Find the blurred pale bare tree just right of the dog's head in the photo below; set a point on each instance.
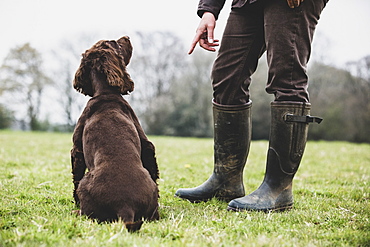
(157, 61)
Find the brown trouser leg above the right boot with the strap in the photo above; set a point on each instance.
(288, 34)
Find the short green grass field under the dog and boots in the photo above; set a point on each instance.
(331, 198)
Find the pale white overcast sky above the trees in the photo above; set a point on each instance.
(342, 34)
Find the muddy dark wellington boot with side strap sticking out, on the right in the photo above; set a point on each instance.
(288, 136)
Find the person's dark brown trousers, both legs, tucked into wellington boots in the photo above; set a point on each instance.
(285, 34)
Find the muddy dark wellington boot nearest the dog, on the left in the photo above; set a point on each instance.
(232, 136)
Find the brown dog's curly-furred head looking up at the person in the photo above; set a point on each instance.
(109, 59)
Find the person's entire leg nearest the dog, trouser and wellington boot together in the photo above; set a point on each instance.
(241, 46)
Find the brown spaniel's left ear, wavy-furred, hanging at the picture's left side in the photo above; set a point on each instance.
(81, 81)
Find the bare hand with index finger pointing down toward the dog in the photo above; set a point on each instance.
(204, 34)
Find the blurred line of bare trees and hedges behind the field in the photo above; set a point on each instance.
(173, 91)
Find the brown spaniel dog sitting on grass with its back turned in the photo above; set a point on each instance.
(109, 141)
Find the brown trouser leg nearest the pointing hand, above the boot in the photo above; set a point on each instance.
(242, 45)
